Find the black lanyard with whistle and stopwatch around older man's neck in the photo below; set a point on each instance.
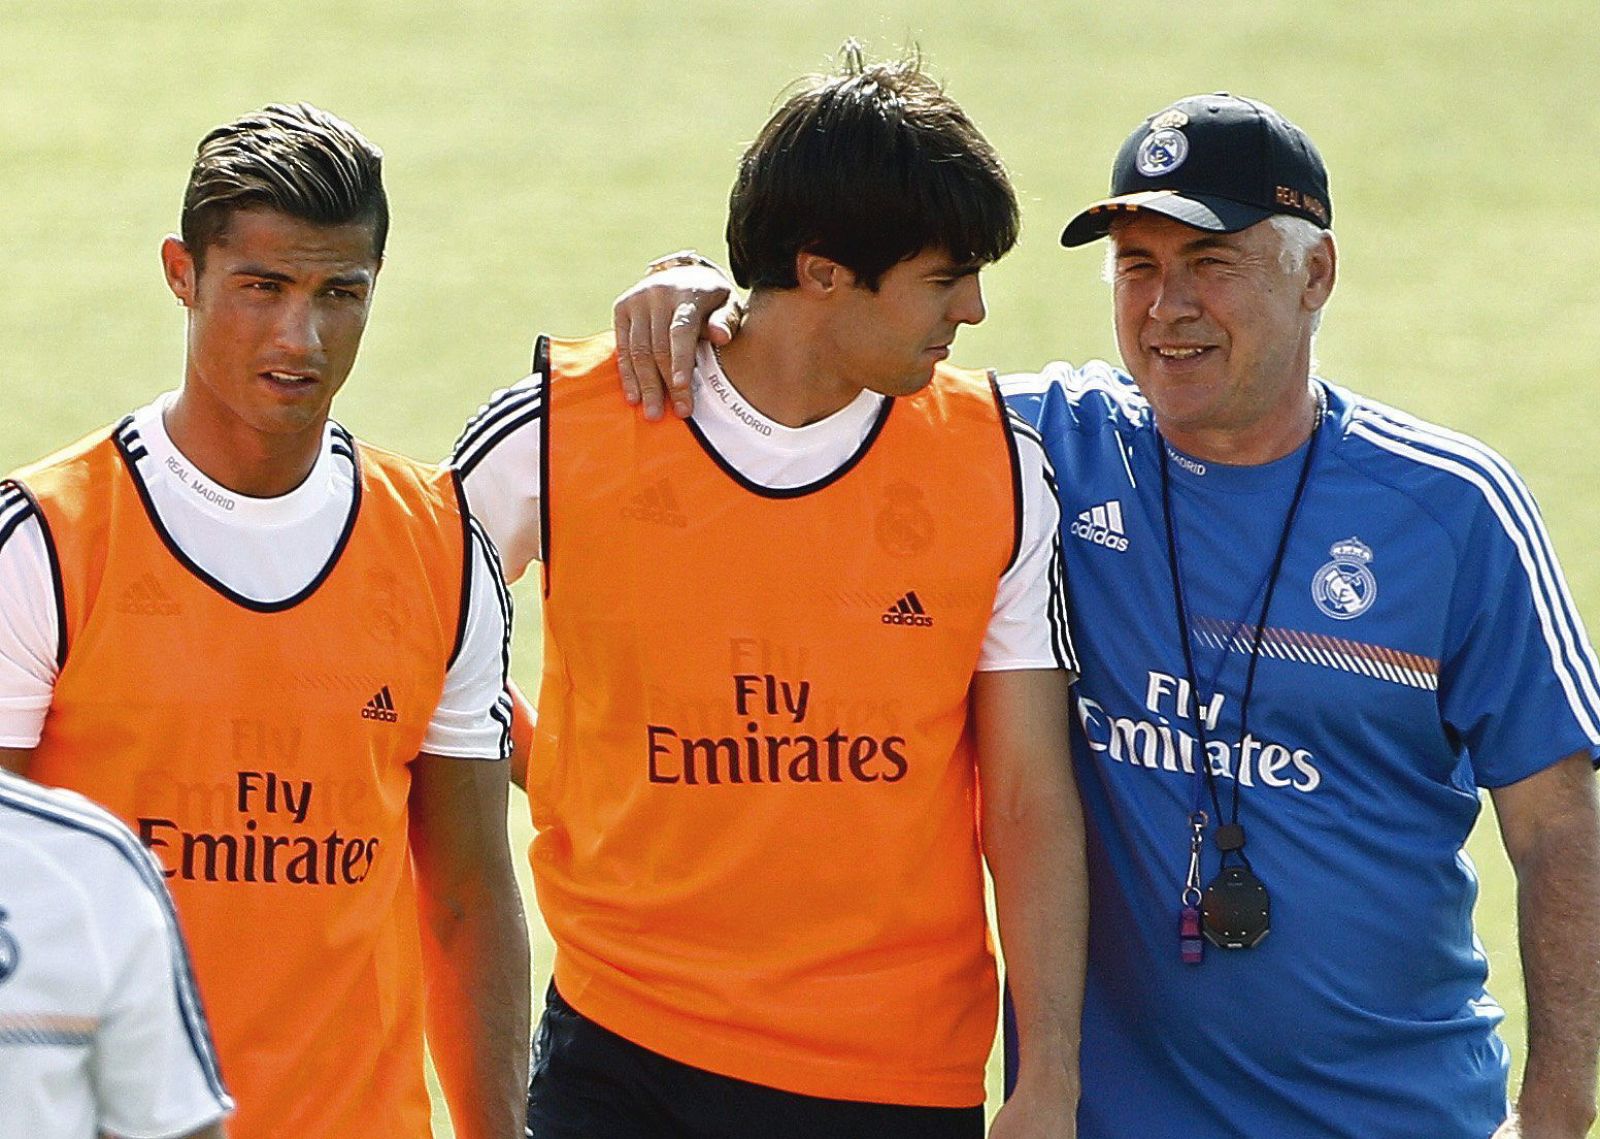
(1234, 887)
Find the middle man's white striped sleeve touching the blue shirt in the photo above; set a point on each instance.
(1030, 623)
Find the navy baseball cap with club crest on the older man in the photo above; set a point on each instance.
(1215, 162)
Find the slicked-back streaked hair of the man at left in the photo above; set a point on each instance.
(295, 159)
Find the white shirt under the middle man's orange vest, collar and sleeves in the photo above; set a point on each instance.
(498, 458)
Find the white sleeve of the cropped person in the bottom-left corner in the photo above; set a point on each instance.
(153, 1065)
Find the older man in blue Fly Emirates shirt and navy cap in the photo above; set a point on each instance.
(1313, 629)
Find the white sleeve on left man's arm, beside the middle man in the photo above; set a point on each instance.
(473, 721)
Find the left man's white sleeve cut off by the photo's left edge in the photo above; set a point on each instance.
(28, 623)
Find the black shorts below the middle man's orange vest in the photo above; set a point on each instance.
(591, 1084)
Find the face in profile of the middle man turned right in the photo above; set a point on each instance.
(889, 342)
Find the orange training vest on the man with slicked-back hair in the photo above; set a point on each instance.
(262, 753)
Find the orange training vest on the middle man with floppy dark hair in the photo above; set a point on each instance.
(758, 844)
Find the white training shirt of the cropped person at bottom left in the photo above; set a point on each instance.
(102, 1026)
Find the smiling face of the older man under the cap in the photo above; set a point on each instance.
(1214, 329)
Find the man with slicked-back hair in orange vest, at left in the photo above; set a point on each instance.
(279, 657)
